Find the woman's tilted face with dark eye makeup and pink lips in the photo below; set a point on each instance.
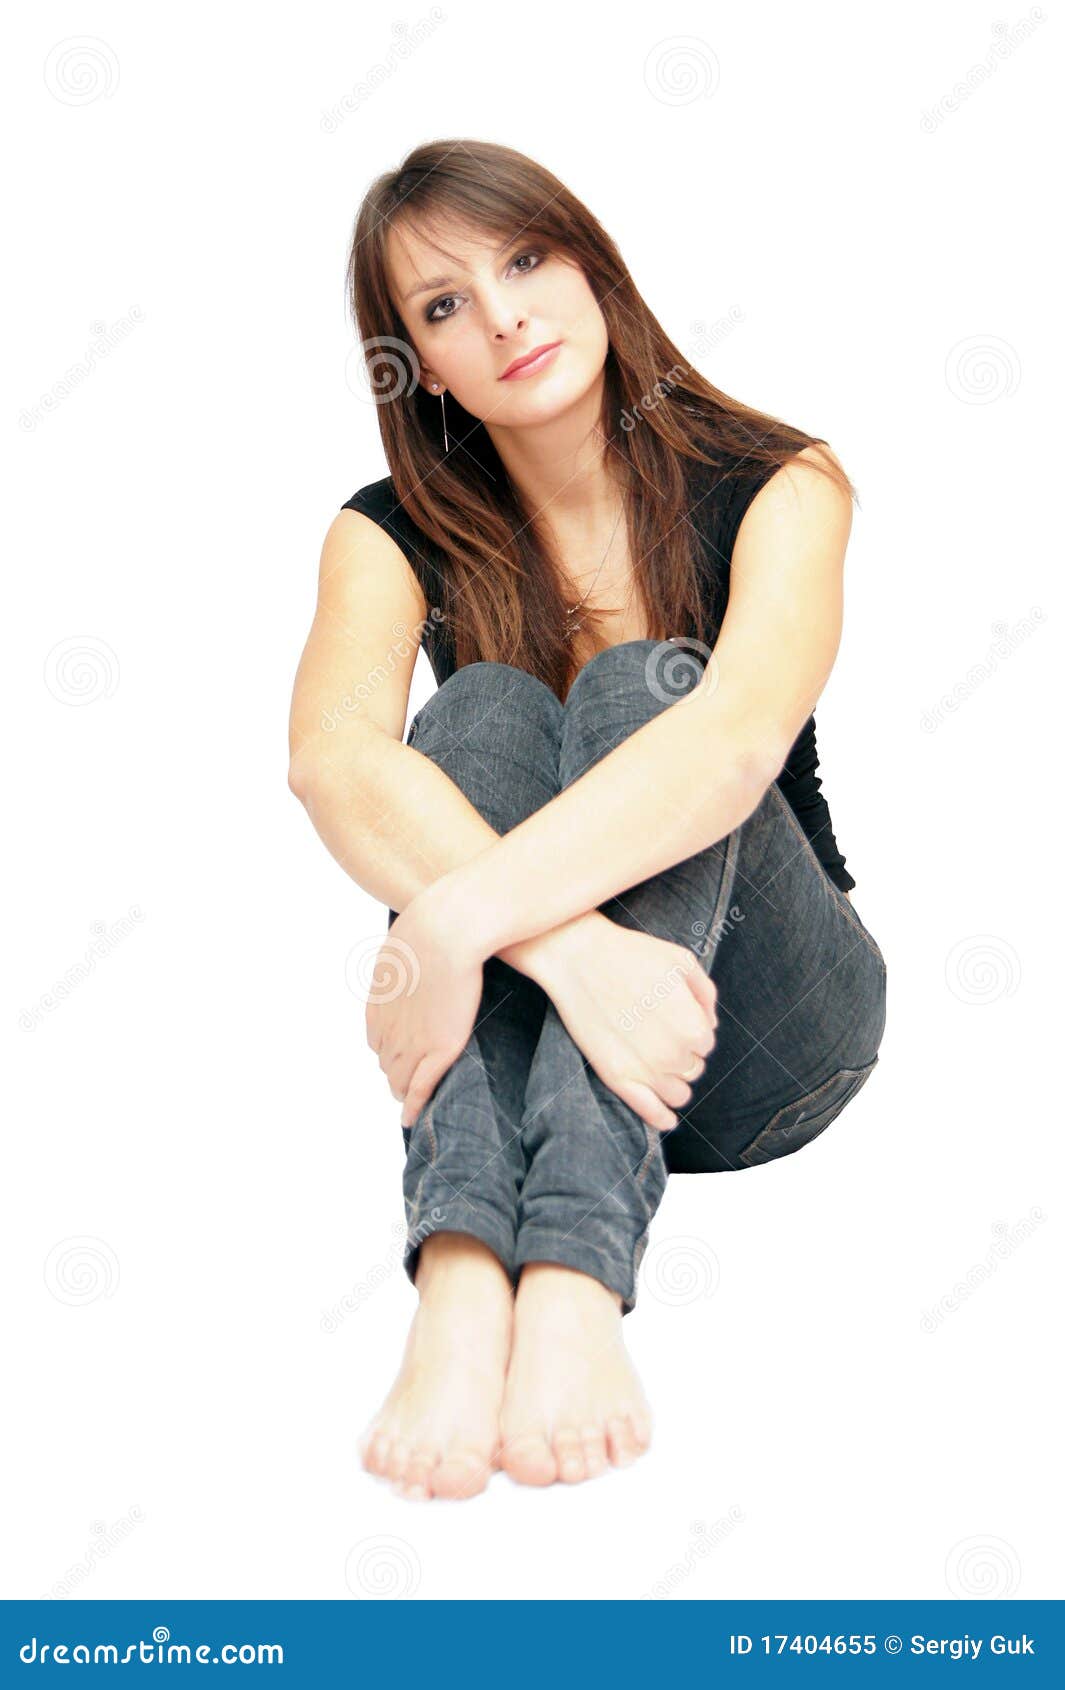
(489, 307)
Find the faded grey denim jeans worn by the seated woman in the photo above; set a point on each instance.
(522, 1143)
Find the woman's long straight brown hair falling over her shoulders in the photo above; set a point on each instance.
(501, 587)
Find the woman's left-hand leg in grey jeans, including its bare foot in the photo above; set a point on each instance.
(494, 731)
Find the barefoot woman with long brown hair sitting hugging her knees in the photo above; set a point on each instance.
(621, 942)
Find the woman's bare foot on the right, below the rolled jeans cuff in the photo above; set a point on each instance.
(572, 1402)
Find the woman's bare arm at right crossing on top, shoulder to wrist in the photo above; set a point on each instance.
(702, 766)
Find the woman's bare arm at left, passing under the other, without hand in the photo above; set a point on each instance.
(359, 783)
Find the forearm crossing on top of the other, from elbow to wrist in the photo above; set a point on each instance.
(670, 790)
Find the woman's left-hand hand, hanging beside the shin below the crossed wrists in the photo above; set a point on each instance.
(420, 1027)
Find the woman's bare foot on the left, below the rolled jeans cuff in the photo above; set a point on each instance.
(437, 1434)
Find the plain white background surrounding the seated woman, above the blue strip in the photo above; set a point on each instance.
(849, 1353)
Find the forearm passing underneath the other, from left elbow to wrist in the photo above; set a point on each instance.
(396, 824)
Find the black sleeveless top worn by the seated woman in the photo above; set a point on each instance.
(718, 511)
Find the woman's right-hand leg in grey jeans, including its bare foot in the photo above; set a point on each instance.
(804, 1015)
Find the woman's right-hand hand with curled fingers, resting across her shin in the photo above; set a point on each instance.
(642, 1010)
